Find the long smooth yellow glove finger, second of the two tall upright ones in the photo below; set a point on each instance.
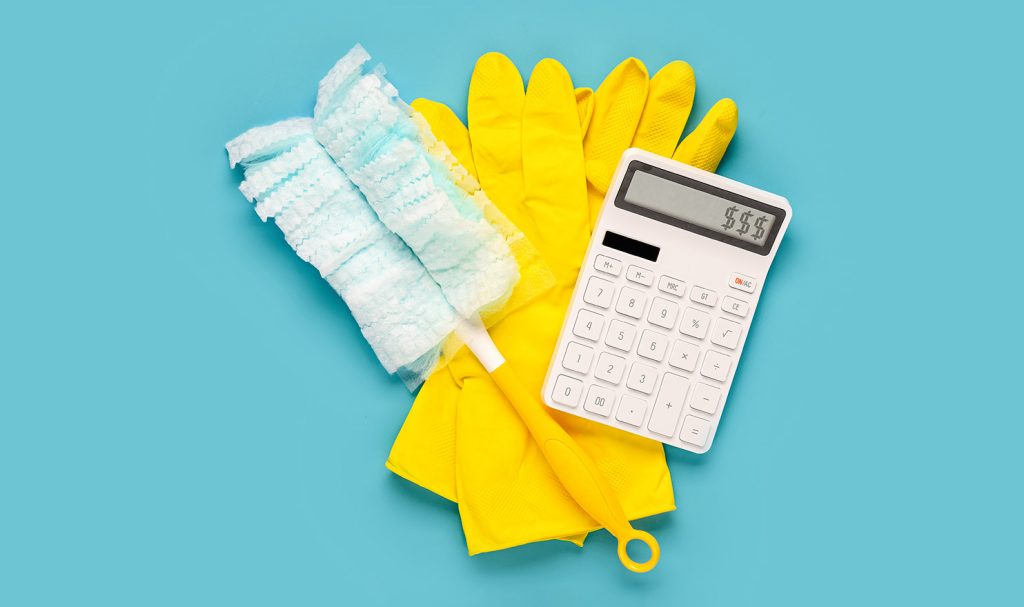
(554, 171)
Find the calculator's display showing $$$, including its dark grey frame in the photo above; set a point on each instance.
(699, 207)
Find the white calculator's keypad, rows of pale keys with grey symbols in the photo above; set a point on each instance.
(651, 352)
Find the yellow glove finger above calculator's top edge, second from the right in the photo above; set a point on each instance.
(669, 103)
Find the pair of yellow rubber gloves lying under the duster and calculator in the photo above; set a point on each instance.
(462, 440)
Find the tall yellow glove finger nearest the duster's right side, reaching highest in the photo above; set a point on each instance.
(495, 112)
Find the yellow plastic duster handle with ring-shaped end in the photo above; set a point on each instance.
(576, 470)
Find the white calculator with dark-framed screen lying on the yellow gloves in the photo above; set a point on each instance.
(664, 300)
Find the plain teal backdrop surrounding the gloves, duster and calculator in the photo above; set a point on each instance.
(190, 417)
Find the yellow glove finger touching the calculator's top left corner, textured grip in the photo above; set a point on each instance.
(618, 106)
